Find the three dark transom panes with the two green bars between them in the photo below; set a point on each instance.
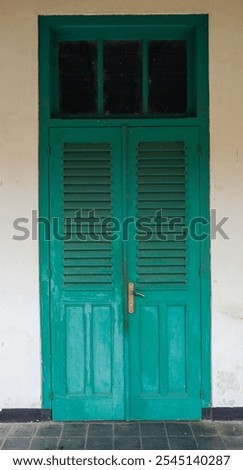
(123, 78)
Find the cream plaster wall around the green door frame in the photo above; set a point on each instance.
(20, 360)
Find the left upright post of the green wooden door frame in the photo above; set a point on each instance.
(44, 248)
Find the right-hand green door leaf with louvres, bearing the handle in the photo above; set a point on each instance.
(164, 331)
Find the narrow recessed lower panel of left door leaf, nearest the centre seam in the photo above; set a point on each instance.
(102, 347)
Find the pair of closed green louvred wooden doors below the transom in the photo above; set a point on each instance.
(107, 363)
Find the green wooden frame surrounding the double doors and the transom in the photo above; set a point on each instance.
(48, 24)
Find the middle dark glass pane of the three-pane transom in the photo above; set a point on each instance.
(122, 77)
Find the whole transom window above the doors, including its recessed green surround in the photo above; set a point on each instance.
(125, 68)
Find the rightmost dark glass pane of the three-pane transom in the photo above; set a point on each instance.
(167, 73)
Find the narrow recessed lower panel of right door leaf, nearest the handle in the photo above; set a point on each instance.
(149, 350)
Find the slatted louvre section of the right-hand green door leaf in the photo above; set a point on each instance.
(161, 206)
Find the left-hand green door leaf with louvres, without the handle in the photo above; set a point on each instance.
(87, 309)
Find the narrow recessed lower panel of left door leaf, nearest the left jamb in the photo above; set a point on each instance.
(75, 350)
